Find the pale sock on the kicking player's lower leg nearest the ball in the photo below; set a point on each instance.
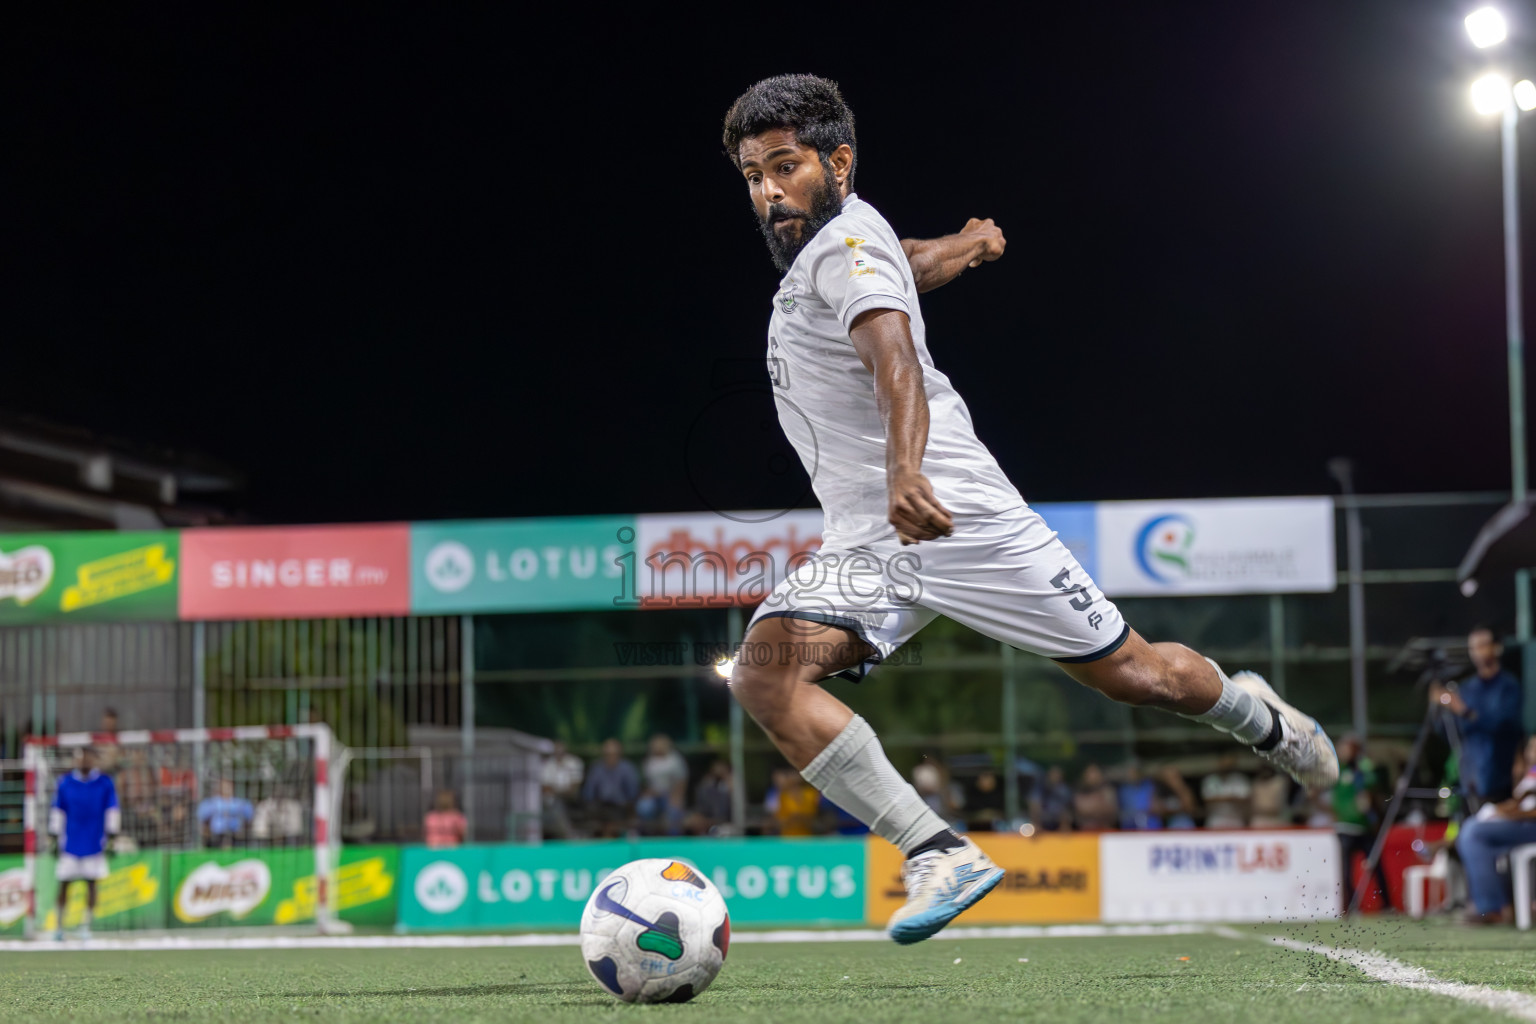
(856, 775)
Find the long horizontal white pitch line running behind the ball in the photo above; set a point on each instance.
(182, 943)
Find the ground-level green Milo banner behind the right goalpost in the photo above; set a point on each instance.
(227, 888)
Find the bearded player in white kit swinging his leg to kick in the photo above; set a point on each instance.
(896, 463)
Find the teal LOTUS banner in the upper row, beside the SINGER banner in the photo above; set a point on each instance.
(523, 566)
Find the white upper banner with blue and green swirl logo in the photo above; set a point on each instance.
(1242, 546)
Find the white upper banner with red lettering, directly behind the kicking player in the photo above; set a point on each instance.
(718, 560)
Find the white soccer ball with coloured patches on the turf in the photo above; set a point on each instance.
(655, 931)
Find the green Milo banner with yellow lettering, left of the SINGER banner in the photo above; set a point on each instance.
(88, 576)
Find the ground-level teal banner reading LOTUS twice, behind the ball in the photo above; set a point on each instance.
(764, 880)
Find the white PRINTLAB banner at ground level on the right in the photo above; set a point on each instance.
(1283, 876)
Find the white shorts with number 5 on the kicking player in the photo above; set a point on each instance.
(1005, 575)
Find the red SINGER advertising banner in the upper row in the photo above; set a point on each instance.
(296, 572)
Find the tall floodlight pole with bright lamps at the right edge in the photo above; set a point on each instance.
(1494, 94)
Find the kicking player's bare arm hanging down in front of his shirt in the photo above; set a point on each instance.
(884, 342)
